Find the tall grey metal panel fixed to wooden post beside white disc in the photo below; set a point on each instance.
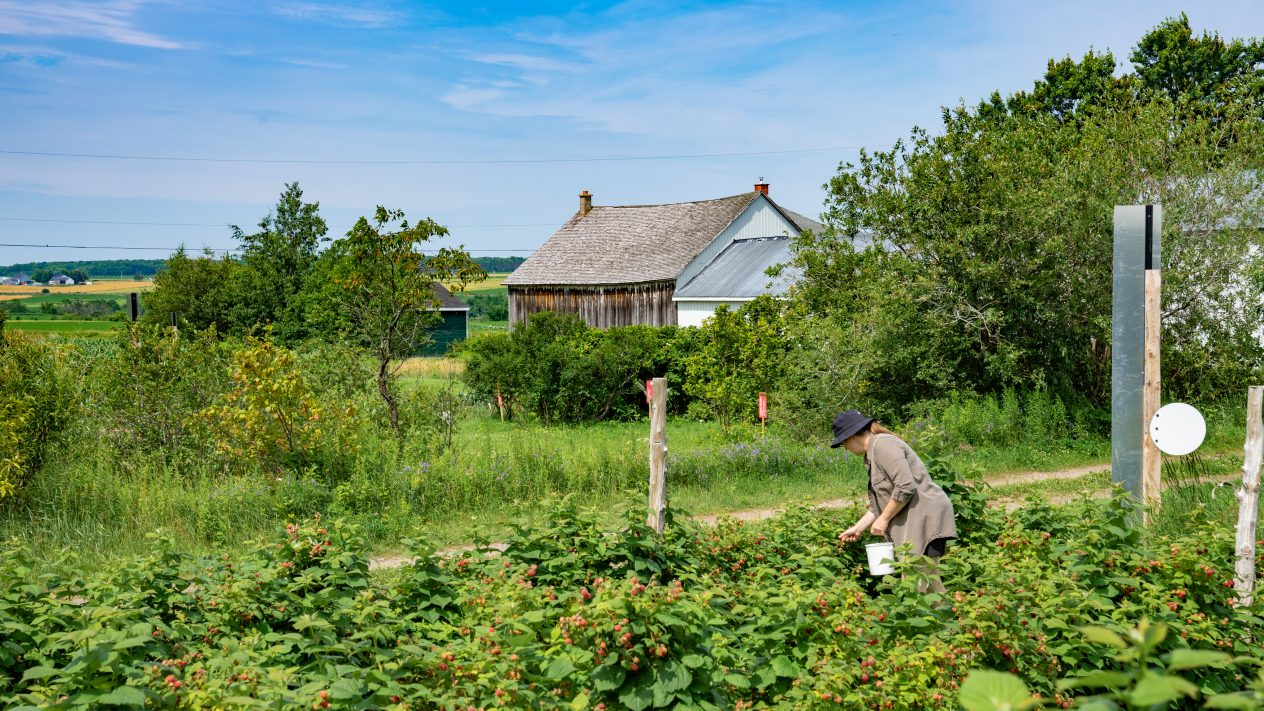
(1134, 233)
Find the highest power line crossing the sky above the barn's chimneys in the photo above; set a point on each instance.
(462, 163)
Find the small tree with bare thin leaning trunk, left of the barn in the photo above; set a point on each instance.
(387, 289)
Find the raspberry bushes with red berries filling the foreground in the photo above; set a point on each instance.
(578, 614)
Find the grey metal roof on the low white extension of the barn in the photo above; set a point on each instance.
(740, 273)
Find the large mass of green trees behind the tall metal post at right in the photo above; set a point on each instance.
(978, 259)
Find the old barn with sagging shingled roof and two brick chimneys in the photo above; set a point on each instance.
(620, 266)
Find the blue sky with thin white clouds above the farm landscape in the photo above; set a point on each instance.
(156, 125)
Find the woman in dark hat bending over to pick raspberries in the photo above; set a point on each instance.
(904, 504)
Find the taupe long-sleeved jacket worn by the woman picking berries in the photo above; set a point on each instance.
(897, 473)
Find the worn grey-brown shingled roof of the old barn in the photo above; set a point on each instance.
(629, 245)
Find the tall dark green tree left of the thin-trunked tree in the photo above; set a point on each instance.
(277, 263)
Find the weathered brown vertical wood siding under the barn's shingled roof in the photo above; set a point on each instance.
(602, 307)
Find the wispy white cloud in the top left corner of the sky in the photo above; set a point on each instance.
(111, 21)
